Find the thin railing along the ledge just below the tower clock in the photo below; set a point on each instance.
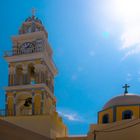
(22, 51)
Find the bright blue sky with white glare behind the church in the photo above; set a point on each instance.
(96, 47)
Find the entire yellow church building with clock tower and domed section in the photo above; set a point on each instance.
(30, 104)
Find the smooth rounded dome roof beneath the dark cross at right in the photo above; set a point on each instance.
(127, 99)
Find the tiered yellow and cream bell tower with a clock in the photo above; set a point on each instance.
(30, 88)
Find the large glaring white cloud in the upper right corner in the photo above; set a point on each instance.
(128, 12)
